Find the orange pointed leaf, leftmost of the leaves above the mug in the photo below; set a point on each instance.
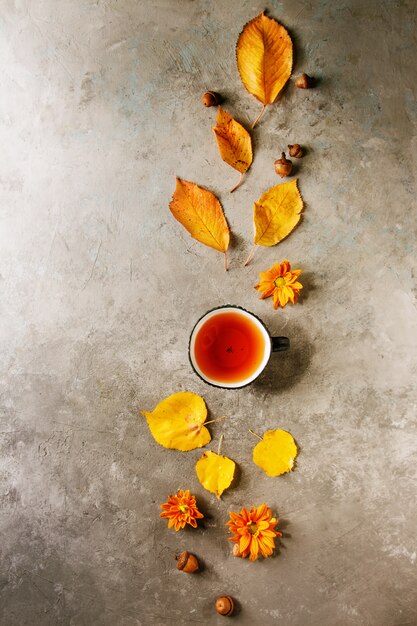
(201, 213)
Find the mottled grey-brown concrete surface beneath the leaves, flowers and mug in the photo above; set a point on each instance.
(100, 109)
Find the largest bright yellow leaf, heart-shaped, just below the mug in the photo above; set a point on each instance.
(177, 422)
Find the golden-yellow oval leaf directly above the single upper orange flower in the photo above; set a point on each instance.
(277, 213)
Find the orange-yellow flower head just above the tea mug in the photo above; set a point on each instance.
(280, 283)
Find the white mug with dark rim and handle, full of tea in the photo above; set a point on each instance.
(224, 334)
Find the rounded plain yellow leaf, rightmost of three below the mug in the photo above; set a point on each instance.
(276, 452)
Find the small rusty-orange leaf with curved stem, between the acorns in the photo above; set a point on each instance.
(234, 141)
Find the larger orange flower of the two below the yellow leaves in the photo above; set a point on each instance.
(254, 531)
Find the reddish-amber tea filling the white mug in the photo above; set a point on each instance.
(229, 347)
